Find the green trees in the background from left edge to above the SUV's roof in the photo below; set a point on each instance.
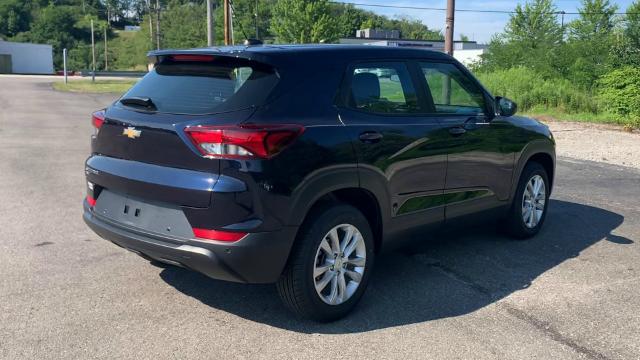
(66, 24)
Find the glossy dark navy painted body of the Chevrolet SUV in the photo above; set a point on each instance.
(417, 171)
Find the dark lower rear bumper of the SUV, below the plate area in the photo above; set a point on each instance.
(257, 258)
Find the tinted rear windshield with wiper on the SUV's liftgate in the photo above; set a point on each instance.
(204, 87)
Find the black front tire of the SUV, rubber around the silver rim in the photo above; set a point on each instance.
(515, 224)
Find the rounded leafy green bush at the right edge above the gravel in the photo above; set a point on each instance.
(619, 92)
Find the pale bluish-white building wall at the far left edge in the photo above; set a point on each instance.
(29, 58)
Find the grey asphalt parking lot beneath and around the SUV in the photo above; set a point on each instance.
(571, 292)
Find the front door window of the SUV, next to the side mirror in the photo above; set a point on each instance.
(451, 90)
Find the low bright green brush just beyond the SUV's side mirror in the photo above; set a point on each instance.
(530, 90)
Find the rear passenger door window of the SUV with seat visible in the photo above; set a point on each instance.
(383, 88)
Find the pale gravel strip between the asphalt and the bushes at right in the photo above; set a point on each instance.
(596, 142)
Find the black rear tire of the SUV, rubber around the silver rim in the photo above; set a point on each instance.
(296, 285)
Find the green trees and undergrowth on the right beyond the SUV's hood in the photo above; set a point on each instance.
(587, 65)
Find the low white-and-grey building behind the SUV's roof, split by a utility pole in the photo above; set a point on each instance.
(467, 52)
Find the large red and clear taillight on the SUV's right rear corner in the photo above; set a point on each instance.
(243, 141)
